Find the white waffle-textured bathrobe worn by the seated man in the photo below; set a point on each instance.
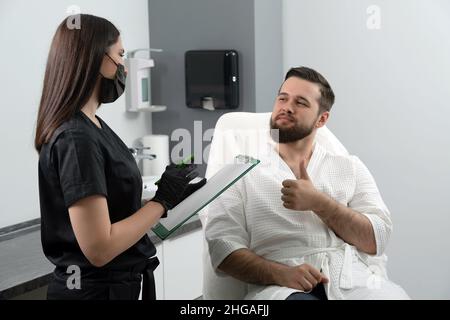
(250, 215)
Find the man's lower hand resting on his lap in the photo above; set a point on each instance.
(303, 277)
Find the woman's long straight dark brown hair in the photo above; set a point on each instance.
(72, 71)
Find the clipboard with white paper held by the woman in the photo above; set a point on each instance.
(214, 187)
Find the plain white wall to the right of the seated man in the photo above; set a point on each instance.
(392, 89)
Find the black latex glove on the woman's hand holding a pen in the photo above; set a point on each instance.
(174, 186)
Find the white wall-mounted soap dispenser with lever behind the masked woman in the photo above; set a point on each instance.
(138, 86)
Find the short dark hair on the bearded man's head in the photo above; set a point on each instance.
(326, 93)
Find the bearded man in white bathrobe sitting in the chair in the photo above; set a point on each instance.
(304, 224)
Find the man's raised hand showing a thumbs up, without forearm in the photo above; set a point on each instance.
(301, 194)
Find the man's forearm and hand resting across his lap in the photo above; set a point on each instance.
(248, 267)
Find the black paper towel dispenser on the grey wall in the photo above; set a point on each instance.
(212, 79)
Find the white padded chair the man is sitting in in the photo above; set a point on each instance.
(232, 134)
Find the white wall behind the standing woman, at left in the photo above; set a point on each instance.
(26, 30)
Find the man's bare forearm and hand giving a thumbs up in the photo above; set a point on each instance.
(351, 226)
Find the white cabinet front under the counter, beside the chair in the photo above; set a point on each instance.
(182, 266)
